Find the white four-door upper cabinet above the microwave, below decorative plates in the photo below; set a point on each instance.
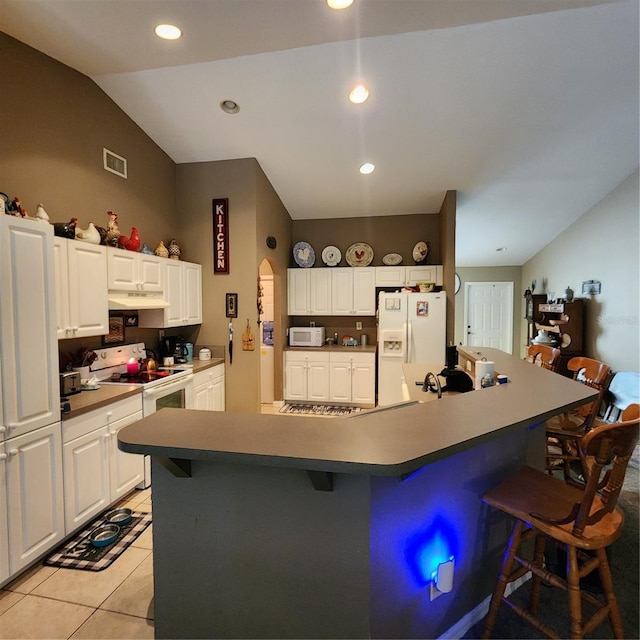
(331, 292)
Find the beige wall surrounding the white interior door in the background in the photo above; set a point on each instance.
(491, 274)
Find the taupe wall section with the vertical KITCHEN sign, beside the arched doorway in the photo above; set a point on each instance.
(243, 183)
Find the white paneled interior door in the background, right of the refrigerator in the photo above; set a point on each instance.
(489, 315)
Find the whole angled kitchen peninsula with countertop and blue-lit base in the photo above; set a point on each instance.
(288, 527)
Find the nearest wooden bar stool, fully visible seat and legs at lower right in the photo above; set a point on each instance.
(582, 521)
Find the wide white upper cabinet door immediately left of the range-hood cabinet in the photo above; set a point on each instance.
(88, 305)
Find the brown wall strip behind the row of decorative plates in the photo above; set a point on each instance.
(385, 234)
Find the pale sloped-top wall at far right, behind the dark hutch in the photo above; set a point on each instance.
(602, 245)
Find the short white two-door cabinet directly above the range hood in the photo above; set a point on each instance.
(133, 271)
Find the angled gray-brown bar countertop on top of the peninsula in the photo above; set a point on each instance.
(385, 441)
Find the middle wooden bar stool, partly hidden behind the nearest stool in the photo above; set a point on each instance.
(564, 432)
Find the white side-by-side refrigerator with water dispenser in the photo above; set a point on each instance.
(411, 328)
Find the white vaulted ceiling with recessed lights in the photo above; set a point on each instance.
(528, 108)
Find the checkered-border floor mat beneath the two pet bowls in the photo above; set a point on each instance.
(79, 553)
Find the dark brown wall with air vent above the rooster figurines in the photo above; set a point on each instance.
(54, 123)
